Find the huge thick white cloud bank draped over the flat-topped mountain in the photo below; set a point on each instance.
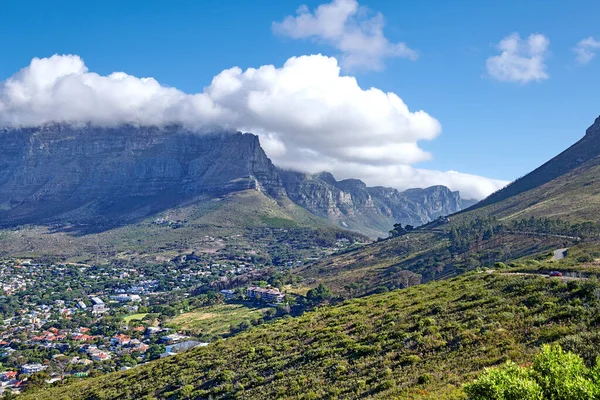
(309, 117)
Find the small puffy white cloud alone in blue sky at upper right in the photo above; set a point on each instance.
(520, 60)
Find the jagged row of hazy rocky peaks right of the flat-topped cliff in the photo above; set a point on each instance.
(371, 210)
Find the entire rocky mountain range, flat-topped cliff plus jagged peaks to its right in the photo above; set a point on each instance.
(107, 177)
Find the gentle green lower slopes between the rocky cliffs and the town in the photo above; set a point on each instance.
(204, 225)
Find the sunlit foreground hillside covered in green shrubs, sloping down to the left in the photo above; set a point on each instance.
(418, 343)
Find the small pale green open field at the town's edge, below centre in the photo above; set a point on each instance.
(215, 320)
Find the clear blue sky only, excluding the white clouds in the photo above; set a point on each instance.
(492, 128)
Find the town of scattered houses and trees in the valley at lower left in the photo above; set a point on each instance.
(72, 321)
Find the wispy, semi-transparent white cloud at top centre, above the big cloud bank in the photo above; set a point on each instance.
(349, 28)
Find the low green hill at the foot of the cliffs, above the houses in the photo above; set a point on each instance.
(240, 222)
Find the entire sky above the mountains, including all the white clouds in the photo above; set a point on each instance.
(468, 94)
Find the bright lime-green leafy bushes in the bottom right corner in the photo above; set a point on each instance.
(555, 374)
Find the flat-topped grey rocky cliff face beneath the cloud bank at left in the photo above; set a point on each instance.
(89, 174)
